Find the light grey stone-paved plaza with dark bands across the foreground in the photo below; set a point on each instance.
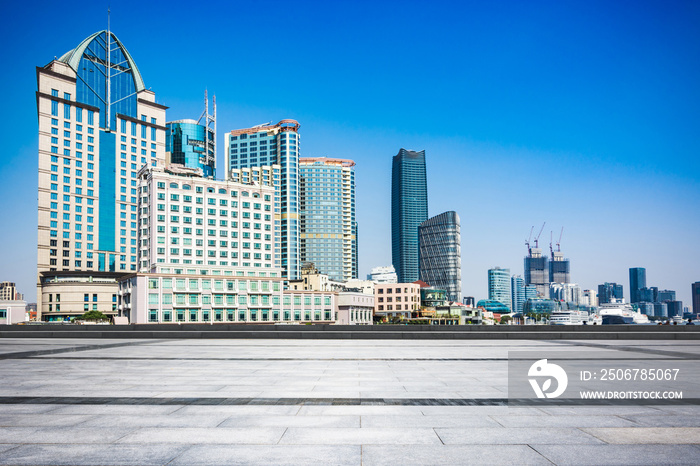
(349, 402)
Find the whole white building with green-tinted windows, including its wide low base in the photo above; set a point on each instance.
(206, 254)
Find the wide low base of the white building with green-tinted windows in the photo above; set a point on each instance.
(222, 296)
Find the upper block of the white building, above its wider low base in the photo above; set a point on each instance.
(193, 222)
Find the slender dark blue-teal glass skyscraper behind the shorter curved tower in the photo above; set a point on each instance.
(409, 208)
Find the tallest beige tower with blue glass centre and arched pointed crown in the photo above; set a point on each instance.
(98, 125)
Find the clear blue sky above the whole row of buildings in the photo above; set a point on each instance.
(581, 114)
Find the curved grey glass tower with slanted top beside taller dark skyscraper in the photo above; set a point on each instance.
(440, 253)
